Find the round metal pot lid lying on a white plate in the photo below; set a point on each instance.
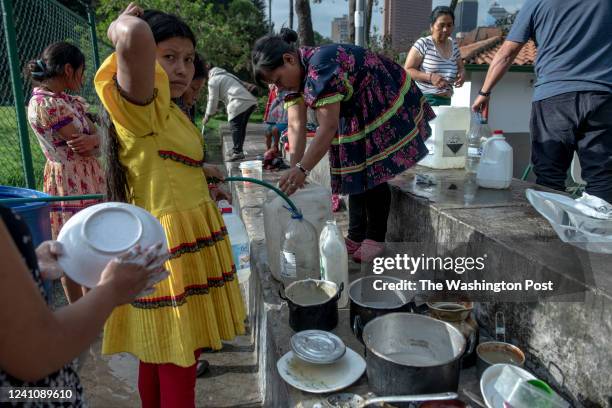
(317, 346)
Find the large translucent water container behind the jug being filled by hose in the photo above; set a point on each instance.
(313, 200)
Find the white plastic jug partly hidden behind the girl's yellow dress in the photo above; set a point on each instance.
(239, 239)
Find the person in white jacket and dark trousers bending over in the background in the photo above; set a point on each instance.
(239, 103)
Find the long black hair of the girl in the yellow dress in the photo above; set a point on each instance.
(163, 26)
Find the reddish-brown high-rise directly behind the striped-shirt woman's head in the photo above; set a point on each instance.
(404, 21)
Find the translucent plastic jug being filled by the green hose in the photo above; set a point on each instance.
(299, 254)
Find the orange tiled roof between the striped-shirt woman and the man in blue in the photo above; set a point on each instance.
(482, 52)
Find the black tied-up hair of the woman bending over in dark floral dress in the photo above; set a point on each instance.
(268, 52)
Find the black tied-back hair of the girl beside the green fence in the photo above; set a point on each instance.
(51, 62)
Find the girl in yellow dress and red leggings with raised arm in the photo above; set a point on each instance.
(155, 161)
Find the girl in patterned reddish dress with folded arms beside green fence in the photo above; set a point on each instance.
(67, 137)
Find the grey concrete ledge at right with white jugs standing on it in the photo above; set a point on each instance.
(567, 343)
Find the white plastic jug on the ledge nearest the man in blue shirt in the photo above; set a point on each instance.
(495, 169)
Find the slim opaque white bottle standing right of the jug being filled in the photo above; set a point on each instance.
(334, 259)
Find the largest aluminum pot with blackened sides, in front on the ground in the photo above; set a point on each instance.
(408, 353)
